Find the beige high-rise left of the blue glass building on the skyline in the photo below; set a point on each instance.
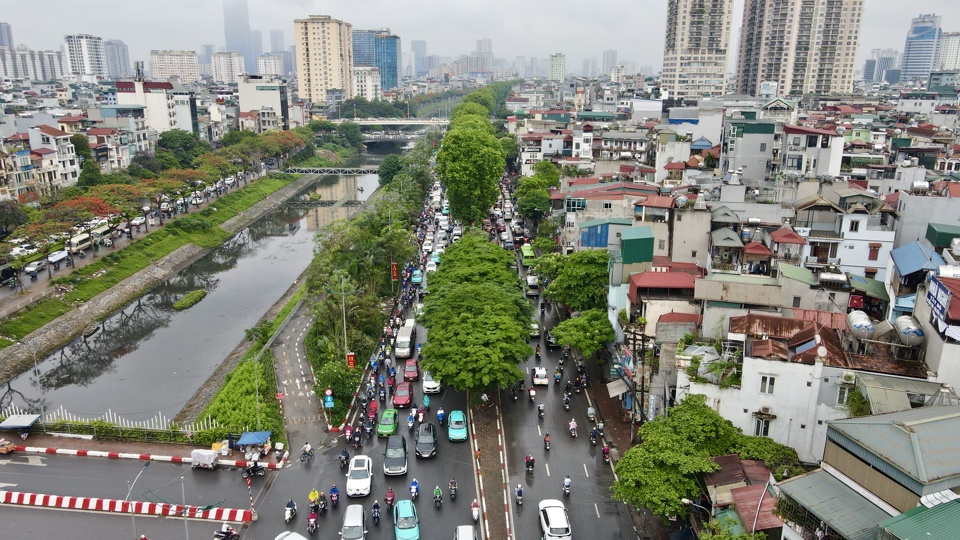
(324, 57)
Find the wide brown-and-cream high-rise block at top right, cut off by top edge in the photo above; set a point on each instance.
(805, 49)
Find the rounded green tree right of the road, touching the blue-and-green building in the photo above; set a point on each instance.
(582, 283)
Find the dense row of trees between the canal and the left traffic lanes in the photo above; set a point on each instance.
(351, 272)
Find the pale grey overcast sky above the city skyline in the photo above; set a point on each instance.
(634, 28)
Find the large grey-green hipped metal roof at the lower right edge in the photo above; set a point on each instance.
(921, 443)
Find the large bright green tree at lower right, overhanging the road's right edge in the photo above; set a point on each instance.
(676, 449)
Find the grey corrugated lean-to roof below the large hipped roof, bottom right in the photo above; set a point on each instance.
(840, 507)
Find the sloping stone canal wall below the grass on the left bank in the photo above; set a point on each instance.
(20, 356)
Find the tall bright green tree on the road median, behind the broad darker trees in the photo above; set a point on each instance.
(470, 164)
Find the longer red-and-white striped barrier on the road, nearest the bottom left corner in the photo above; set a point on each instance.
(123, 507)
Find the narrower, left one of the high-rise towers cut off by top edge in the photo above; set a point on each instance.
(695, 48)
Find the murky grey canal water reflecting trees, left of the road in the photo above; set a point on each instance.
(148, 360)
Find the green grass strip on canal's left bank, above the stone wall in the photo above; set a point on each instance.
(200, 228)
